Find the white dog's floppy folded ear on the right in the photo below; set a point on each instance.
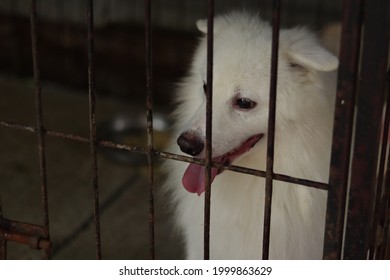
(304, 49)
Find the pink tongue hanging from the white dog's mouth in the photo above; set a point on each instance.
(194, 178)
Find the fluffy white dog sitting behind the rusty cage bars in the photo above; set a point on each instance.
(304, 117)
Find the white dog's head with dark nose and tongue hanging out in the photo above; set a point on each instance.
(241, 85)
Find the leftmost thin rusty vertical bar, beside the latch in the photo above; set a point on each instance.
(40, 129)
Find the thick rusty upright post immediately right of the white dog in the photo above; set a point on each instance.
(343, 127)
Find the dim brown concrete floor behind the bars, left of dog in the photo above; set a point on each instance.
(123, 187)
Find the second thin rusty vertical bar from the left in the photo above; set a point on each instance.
(92, 127)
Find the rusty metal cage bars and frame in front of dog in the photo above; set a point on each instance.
(358, 208)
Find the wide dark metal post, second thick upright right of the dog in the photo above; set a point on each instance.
(368, 128)
